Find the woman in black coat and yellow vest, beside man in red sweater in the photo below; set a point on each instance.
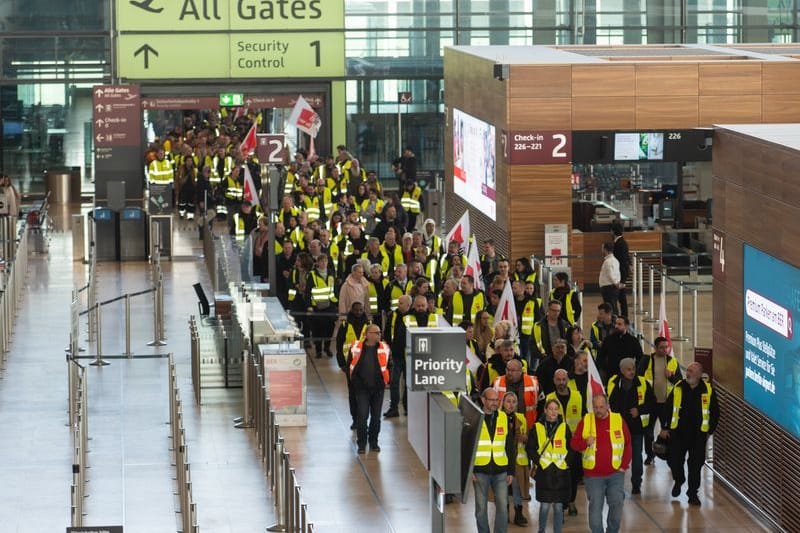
(549, 453)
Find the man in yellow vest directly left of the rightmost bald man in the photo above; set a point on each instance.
(662, 371)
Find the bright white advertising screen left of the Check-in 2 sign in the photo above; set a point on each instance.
(474, 162)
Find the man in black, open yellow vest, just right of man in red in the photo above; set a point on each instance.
(632, 397)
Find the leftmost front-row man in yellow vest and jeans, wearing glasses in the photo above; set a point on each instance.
(494, 464)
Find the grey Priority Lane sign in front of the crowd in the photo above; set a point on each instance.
(436, 360)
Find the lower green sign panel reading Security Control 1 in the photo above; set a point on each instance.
(222, 55)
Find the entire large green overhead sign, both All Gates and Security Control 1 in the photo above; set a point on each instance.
(230, 38)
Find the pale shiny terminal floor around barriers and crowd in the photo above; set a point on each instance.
(130, 480)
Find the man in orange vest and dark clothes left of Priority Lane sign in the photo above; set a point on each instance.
(369, 376)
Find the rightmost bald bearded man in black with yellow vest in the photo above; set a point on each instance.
(691, 414)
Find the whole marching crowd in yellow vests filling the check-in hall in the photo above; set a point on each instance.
(358, 266)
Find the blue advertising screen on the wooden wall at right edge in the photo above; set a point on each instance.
(771, 350)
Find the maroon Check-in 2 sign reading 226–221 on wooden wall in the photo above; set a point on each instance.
(538, 147)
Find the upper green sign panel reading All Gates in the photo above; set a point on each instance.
(228, 15)
